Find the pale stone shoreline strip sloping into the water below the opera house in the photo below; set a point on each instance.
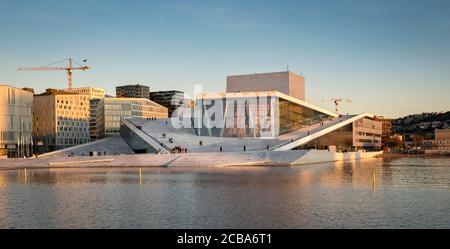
(230, 159)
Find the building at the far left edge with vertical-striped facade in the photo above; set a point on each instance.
(15, 122)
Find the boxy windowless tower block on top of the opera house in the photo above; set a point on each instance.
(287, 82)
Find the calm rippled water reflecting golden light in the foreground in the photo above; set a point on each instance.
(408, 193)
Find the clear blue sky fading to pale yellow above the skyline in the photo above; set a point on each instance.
(390, 57)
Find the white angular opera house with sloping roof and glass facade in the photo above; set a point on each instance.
(258, 113)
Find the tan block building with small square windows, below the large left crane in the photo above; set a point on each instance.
(60, 120)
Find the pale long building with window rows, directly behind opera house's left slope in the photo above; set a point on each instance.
(111, 110)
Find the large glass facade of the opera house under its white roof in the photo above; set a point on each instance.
(253, 116)
